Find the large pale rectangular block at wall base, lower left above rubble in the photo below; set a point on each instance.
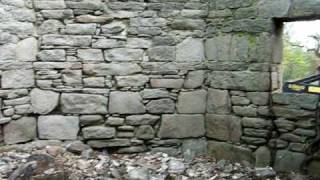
(58, 127)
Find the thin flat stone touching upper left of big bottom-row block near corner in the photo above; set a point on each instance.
(146, 119)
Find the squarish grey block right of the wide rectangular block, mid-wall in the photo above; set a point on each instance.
(126, 103)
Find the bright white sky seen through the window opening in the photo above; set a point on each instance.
(300, 31)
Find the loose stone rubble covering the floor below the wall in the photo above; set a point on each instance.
(53, 161)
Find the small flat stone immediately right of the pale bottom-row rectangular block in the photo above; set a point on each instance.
(98, 132)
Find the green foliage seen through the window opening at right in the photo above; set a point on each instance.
(297, 63)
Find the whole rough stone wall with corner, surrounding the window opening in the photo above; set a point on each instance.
(155, 75)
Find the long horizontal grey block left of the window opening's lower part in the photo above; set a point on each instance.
(241, 80)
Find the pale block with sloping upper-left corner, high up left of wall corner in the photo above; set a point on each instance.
(190, 50)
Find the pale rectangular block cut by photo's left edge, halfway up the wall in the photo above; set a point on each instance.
(17, 79)
